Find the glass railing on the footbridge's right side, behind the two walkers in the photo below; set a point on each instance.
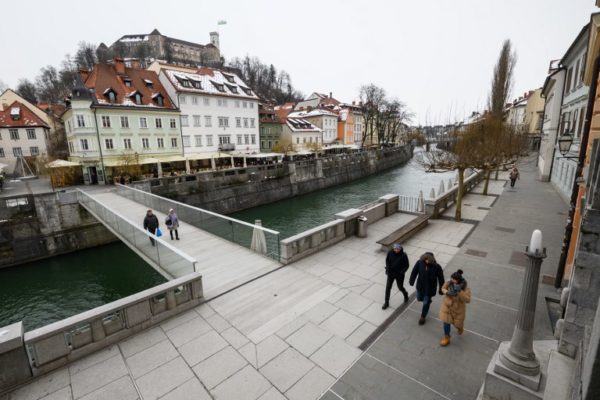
(236, 231)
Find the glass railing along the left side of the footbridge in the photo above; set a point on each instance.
(167, 258)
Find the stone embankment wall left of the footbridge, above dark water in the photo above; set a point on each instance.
(45, 225)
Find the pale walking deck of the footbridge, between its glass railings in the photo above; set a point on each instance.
(219, 260)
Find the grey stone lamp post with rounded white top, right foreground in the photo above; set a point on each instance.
(518, 360)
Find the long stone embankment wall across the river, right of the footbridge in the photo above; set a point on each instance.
(242, 188)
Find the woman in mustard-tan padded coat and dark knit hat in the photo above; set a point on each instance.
(454, 305)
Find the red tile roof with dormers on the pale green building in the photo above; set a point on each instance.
(104, 77)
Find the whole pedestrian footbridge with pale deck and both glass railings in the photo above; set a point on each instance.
(227, 252)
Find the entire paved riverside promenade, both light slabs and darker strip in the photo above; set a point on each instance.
(301, 330)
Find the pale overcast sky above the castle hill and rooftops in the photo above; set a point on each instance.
(435, 55)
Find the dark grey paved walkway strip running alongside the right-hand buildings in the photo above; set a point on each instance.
(406, 361)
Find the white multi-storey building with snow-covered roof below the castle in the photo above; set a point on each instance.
(219, 112)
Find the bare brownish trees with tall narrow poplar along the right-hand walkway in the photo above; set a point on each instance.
(487, 144)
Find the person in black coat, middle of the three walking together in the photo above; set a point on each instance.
(428, 275)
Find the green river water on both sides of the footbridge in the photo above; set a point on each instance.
(46, 291)
